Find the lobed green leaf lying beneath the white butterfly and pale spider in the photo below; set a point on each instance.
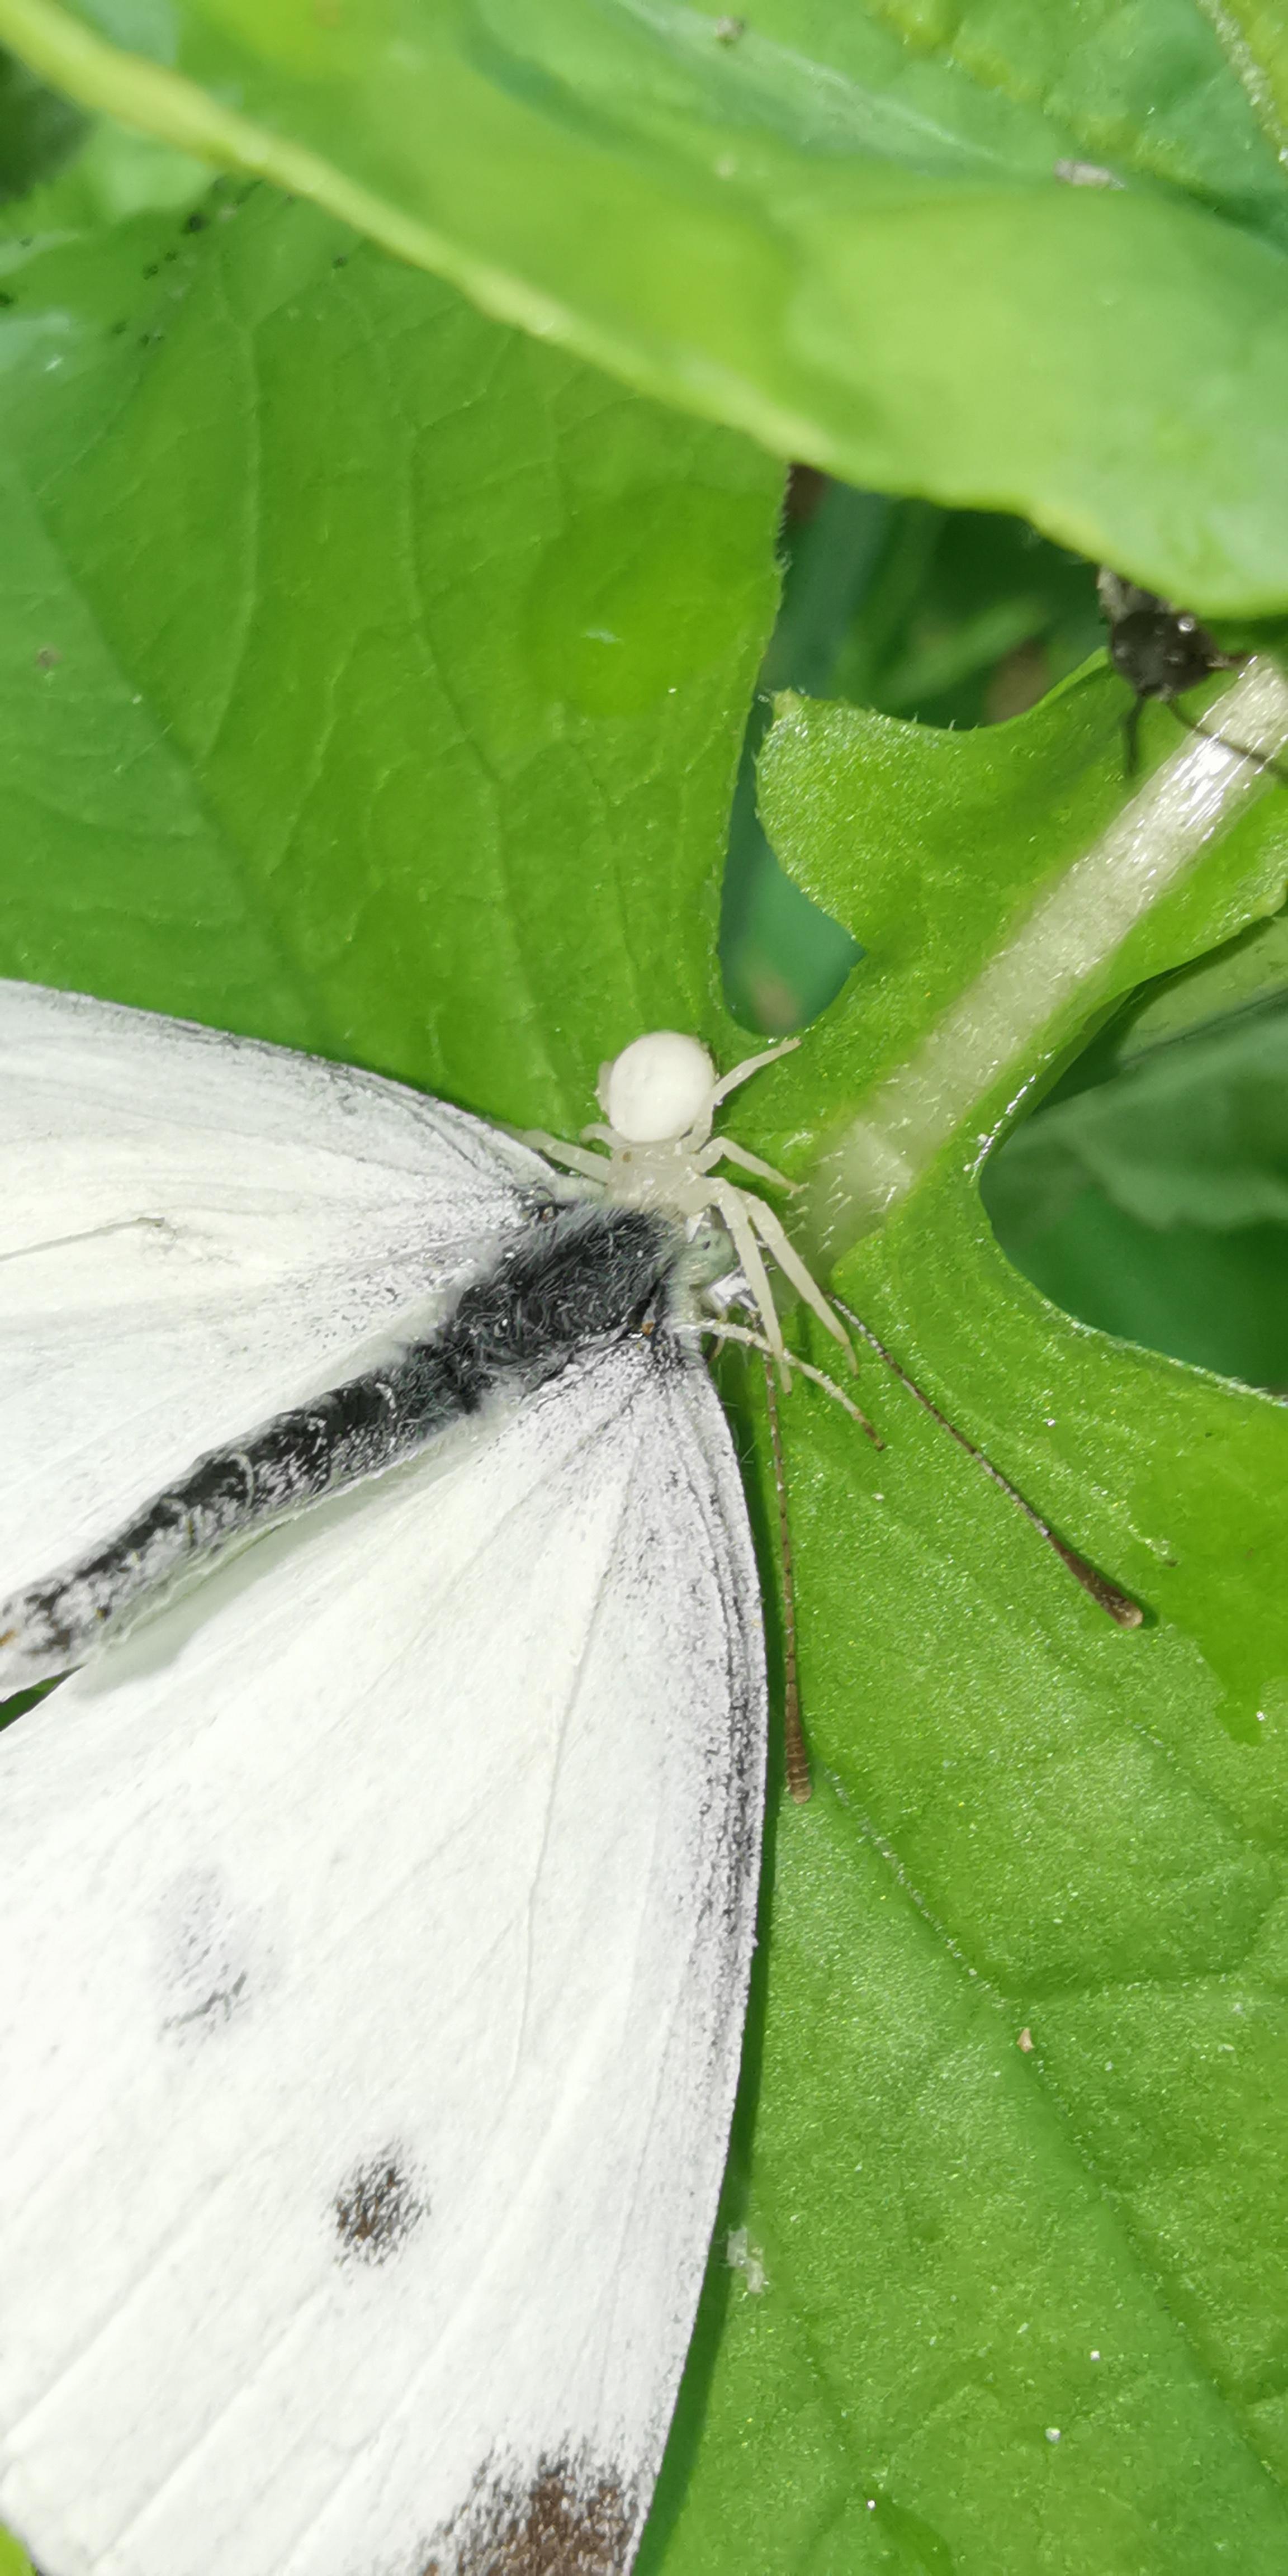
(377, 681)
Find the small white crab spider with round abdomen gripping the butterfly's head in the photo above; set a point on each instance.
(661, 1099)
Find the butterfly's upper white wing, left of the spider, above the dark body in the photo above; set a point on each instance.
(192, 1233)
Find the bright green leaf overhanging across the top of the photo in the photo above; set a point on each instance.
(875, 238)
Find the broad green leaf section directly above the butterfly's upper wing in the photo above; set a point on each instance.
(372, 676)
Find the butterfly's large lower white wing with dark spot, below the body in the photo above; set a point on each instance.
(383, 1920)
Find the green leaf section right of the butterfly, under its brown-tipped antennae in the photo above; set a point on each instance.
(1016, 2173)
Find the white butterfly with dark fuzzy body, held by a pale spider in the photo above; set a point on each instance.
(375, 1918)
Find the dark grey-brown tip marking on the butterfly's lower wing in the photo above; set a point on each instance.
(571, 2521)
